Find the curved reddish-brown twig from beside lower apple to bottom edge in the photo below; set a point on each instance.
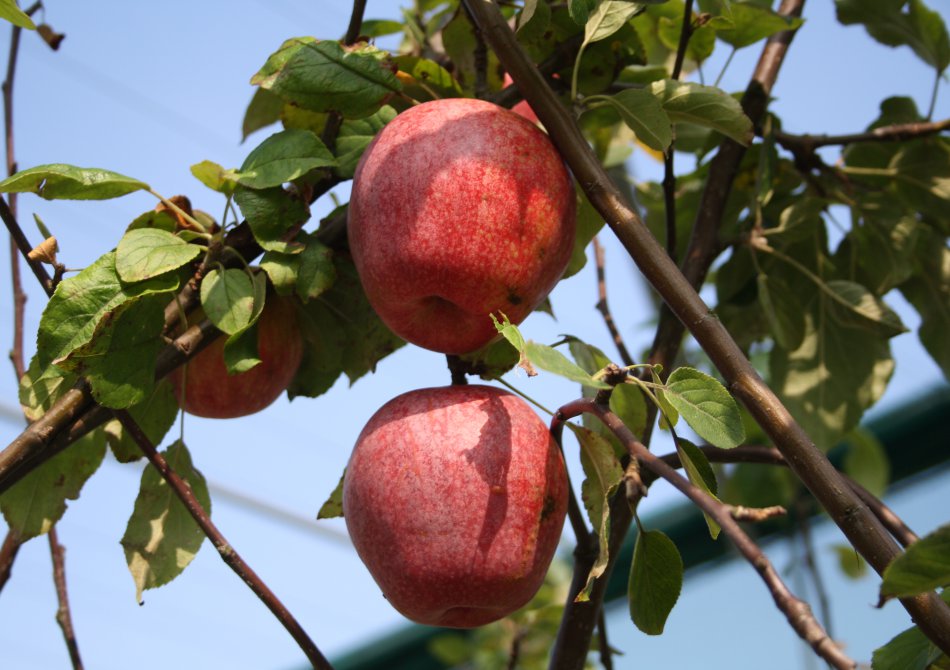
(795, 610)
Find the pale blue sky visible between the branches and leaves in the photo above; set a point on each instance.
(148, 89)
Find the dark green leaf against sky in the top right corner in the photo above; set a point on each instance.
(920, 28)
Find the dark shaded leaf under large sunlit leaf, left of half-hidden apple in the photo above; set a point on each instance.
(119, 359)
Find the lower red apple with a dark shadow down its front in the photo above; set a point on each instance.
(455, 498)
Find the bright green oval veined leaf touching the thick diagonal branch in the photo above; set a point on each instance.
(706, 406)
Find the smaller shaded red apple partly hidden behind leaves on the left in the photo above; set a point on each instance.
(209, 390)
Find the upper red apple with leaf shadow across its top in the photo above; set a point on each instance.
(459, 209)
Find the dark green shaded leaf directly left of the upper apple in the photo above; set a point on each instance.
(272, 214)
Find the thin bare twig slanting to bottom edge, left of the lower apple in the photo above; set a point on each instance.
(228, 554)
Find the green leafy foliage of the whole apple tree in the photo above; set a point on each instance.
(809, 305)
